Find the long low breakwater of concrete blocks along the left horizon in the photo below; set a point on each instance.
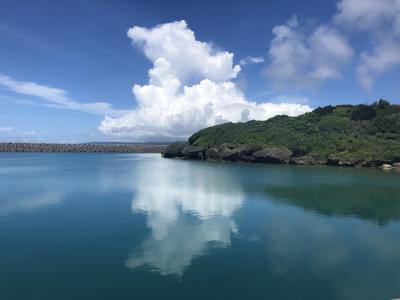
(111, 148)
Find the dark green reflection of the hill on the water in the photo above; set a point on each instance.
(369, 201)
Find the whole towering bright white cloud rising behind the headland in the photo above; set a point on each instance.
(189, 88)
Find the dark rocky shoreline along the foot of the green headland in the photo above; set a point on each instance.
(267, 155)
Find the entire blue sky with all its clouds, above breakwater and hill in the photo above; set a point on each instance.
(94, 70)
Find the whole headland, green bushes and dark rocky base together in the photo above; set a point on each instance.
(343, 135)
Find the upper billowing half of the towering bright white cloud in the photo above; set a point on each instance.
(190, 58)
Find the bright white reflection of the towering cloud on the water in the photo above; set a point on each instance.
(189, 211)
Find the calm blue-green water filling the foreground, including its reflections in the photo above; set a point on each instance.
(136, 226)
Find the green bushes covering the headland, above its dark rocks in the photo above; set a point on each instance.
(368, 132)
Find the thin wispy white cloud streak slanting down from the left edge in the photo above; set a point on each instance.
(57, 98)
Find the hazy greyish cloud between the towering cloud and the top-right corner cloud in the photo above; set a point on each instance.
(302, 60)
